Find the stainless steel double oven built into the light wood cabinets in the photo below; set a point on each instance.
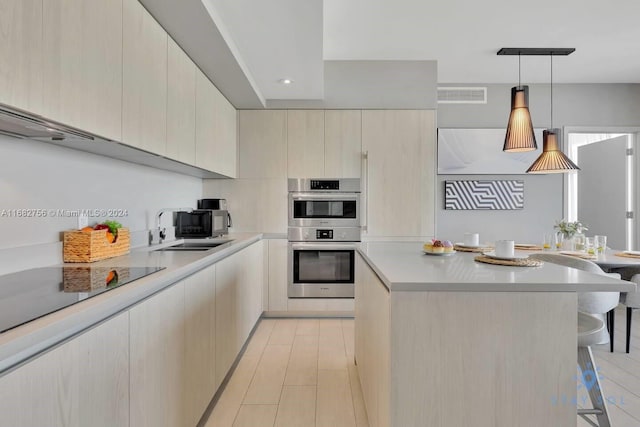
(324, 227)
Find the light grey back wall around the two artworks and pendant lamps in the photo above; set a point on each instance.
(573, 105)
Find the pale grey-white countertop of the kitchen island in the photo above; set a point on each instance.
(403, 266)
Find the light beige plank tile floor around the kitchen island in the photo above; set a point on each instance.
(300, 372)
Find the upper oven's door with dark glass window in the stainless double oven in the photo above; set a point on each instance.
(324, 209)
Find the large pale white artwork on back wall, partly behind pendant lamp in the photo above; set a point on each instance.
(479, 152)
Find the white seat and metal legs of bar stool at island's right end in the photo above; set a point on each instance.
(589, 329)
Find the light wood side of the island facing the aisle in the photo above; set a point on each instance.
(372, 343)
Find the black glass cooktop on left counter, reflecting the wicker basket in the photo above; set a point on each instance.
(30, 294)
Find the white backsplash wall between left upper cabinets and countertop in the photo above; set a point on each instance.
(36, 175)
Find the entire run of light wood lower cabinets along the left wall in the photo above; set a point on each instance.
(158, 364)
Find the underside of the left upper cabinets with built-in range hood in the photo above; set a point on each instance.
(21, 124)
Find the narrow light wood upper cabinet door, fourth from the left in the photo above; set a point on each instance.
(181, 105)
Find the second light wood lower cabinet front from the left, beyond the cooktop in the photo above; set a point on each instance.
(157, 331)
